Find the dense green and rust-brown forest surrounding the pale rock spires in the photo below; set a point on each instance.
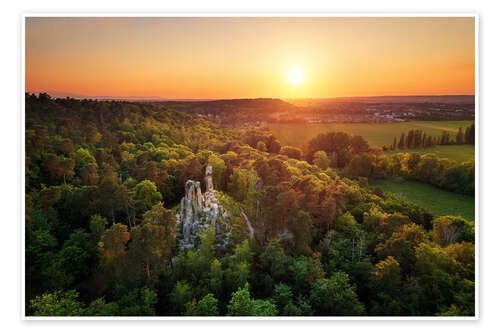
(136, 209)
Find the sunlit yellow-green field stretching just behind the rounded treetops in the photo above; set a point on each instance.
(377, 134)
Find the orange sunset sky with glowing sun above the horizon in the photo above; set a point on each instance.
(217, 57)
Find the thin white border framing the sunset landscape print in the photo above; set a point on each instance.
(241, 15)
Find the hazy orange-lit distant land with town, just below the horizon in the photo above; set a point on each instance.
(338, 110)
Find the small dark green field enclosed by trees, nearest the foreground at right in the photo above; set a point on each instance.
(436, 201)
